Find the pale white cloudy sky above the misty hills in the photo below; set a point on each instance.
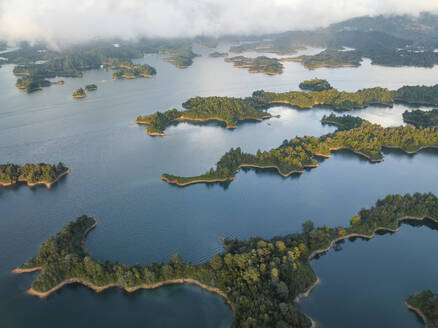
(82, 20)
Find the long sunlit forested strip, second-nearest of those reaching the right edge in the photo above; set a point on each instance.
(234, 110)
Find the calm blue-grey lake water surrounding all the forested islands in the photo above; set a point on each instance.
(116, 172)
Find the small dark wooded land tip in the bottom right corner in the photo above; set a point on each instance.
(425, 305)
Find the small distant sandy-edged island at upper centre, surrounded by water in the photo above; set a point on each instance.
(261, 64)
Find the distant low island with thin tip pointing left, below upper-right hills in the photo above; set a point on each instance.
(329, 58)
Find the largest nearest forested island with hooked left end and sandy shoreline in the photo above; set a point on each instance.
(261, 280)
